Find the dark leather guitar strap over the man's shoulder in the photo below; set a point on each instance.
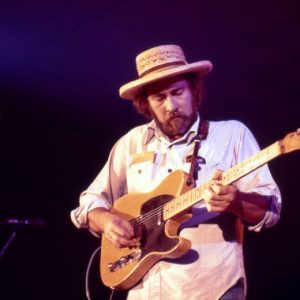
(195, 159)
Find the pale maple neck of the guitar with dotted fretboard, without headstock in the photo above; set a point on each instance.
(188, 199)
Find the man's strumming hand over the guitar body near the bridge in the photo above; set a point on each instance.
(116, 229)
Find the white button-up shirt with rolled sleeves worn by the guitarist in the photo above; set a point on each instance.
(140, 160)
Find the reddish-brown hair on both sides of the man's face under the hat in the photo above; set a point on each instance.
(141, 104)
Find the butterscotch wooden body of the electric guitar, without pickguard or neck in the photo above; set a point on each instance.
(158, 239)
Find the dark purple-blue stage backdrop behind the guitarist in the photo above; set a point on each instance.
(61, 65)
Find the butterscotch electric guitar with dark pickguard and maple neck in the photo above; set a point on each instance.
(156, 216)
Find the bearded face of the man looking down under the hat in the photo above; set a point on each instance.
(172, 105)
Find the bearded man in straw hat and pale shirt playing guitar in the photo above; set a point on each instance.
(169, 90)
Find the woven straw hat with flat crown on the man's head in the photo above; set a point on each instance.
(159, 63)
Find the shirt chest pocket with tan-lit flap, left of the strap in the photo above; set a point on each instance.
(141, 172)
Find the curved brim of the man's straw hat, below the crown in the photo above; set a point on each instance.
(129, 90)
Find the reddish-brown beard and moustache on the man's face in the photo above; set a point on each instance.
(177, 124)
